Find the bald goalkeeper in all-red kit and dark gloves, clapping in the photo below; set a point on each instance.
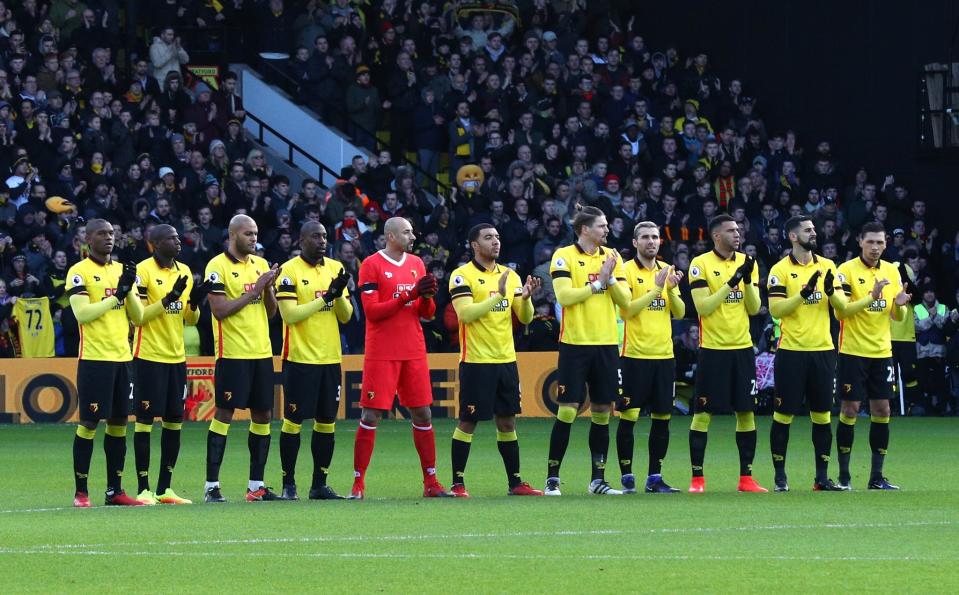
(396, 292)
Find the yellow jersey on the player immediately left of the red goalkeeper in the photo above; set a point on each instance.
(316, 339)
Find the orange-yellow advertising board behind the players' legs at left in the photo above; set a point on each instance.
(44, 390)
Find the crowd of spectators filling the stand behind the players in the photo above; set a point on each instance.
(559, 103)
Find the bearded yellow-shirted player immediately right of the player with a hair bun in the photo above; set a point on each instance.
(647, 363)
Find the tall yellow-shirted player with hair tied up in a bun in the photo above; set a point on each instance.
(586, 279)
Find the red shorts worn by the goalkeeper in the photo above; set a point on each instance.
(384, 379)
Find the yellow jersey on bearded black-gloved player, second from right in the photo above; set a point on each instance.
(807, 327)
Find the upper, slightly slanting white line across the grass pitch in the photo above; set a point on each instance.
(595, 532)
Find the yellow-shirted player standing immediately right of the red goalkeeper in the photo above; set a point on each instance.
(485, 295)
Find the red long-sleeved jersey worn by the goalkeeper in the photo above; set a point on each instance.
(393, 330)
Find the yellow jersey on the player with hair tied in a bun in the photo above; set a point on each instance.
(592, 322)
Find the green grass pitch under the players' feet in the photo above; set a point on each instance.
(395, 541)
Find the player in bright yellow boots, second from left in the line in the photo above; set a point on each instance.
(159, 359)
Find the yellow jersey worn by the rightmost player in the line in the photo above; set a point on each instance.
(867, 333)
